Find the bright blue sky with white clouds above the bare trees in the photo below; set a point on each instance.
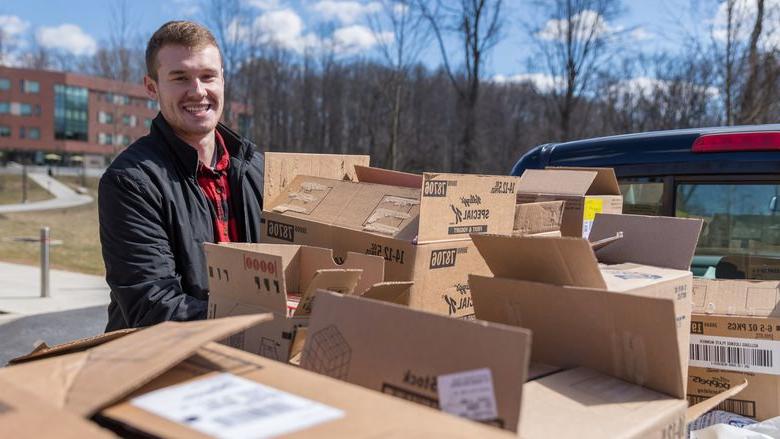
(79, 25)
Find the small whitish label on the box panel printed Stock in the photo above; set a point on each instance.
(468, 394)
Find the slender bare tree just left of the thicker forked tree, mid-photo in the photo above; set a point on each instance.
(399, 20)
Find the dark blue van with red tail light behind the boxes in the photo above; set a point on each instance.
(728, 176)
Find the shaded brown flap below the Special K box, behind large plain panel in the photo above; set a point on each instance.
(553, 260)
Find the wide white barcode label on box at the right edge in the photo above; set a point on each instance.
(739, 354)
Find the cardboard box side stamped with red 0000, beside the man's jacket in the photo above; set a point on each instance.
(256, 274)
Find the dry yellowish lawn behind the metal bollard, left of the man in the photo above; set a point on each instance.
(76, 227)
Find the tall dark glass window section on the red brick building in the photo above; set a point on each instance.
(71, 105)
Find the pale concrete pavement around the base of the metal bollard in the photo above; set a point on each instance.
(20, 291)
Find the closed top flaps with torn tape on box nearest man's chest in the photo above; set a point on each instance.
(391, 211)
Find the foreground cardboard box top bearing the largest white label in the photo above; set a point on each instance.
(294, 403)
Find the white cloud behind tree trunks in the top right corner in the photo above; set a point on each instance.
(743, 18)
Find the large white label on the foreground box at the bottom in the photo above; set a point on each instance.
(228, 406)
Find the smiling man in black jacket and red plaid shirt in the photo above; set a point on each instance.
(190, 180)
